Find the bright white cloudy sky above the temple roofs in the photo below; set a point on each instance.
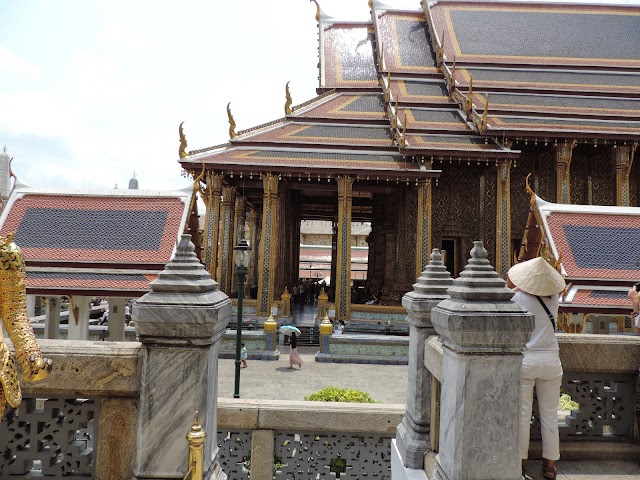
(91, 91)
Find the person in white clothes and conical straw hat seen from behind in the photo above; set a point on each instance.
(537, 285)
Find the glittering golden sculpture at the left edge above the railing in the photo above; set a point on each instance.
(13, 308)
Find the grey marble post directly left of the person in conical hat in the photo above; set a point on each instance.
(483, 334)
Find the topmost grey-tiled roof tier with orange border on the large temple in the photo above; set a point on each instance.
(555, 35)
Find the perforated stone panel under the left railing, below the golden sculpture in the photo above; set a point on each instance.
(51, 438)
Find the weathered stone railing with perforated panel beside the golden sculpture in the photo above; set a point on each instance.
(80, 422)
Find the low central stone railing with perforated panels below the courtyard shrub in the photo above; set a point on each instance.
(275, 439)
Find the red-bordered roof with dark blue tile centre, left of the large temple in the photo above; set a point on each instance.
(98, 243)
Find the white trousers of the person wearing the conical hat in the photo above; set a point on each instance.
(544, 371)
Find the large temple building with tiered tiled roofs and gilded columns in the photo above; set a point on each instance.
(426, 125)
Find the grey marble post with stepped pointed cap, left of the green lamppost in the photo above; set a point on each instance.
(180, 324)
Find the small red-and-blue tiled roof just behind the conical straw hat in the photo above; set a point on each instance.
(595, 247)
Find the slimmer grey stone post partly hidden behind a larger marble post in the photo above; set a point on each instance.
(412, 437)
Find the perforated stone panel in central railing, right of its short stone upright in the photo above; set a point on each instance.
(319, 457)
